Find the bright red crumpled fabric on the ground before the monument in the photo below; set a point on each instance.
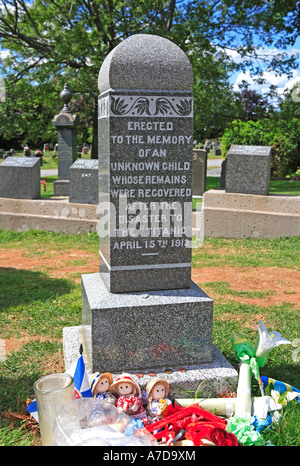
(198, 423)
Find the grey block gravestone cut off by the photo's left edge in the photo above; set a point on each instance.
(20, 178)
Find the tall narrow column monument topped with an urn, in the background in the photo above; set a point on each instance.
(66, 124)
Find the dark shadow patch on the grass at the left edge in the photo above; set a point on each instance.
(25, 286)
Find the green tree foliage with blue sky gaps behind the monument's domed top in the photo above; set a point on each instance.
(51, 42)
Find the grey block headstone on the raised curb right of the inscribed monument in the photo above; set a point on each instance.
(248, 169)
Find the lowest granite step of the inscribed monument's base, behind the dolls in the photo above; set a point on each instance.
(207, 379)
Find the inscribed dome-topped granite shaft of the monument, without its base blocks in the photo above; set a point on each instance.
(145, 153)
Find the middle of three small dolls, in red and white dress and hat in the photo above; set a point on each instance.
(128, 396)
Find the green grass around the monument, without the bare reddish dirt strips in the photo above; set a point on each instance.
(40, 306)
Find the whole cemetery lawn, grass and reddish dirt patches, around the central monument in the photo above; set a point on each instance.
(40, 294)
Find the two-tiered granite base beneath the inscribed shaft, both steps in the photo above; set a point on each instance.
(167, 334)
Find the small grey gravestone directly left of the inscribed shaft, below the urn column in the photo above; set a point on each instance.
(84, 181)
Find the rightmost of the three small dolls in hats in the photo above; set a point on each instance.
(157, 391)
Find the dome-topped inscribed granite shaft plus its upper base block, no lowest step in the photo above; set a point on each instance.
(143, 310)
